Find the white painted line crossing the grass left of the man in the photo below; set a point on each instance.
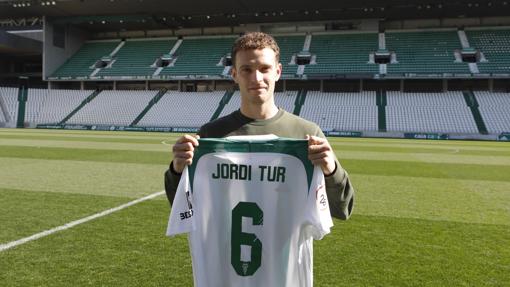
(12, 244)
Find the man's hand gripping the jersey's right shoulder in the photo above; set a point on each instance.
(320, 153)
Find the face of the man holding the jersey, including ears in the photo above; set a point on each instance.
(256, 72)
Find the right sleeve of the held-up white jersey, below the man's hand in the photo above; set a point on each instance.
(317, 211)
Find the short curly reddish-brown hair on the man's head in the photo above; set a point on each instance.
(254, 41)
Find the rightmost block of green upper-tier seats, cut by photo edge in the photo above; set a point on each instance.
(495, 46)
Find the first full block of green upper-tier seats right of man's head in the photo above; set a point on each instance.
(343, 53)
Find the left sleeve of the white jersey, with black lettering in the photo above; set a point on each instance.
(181, 215)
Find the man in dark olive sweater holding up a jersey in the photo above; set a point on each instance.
(256, 68)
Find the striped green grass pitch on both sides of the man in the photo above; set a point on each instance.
(427, 213)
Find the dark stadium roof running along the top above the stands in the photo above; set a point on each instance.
(104, 15)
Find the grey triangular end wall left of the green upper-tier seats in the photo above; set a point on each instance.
(58, 48)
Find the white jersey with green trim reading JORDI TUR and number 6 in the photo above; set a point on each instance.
(252, 209)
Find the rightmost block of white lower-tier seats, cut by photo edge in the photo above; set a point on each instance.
(494, 108)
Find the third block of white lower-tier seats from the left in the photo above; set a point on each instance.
(113, 108)
